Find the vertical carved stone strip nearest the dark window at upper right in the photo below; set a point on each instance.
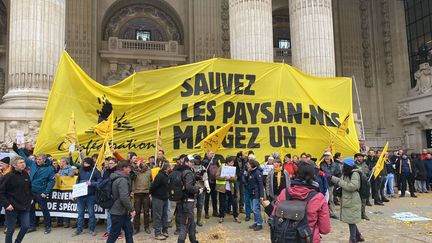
(388, 58)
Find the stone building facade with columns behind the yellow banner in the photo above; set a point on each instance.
(111, 39)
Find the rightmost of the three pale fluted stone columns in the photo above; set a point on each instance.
(311, 26)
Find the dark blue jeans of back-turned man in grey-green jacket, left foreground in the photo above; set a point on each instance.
(120, 222)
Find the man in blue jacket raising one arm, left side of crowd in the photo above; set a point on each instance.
(42, 177)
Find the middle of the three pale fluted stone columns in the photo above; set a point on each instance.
(251, 30)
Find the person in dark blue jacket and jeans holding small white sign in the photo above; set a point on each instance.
(90, 175)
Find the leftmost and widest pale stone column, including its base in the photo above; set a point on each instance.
(36, 41)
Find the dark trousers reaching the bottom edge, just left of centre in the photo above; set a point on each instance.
(187, 222)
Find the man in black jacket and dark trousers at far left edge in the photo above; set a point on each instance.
(17, 203)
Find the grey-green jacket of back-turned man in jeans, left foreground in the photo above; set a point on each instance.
(121, 190)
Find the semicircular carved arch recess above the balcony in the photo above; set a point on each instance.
(126, 20)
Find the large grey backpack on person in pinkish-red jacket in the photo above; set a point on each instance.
(290, 223)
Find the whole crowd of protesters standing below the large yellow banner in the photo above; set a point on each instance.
(153, 185)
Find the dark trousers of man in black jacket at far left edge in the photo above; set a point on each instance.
(11, 218)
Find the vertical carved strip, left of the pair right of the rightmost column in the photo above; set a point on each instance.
(367, 63)
